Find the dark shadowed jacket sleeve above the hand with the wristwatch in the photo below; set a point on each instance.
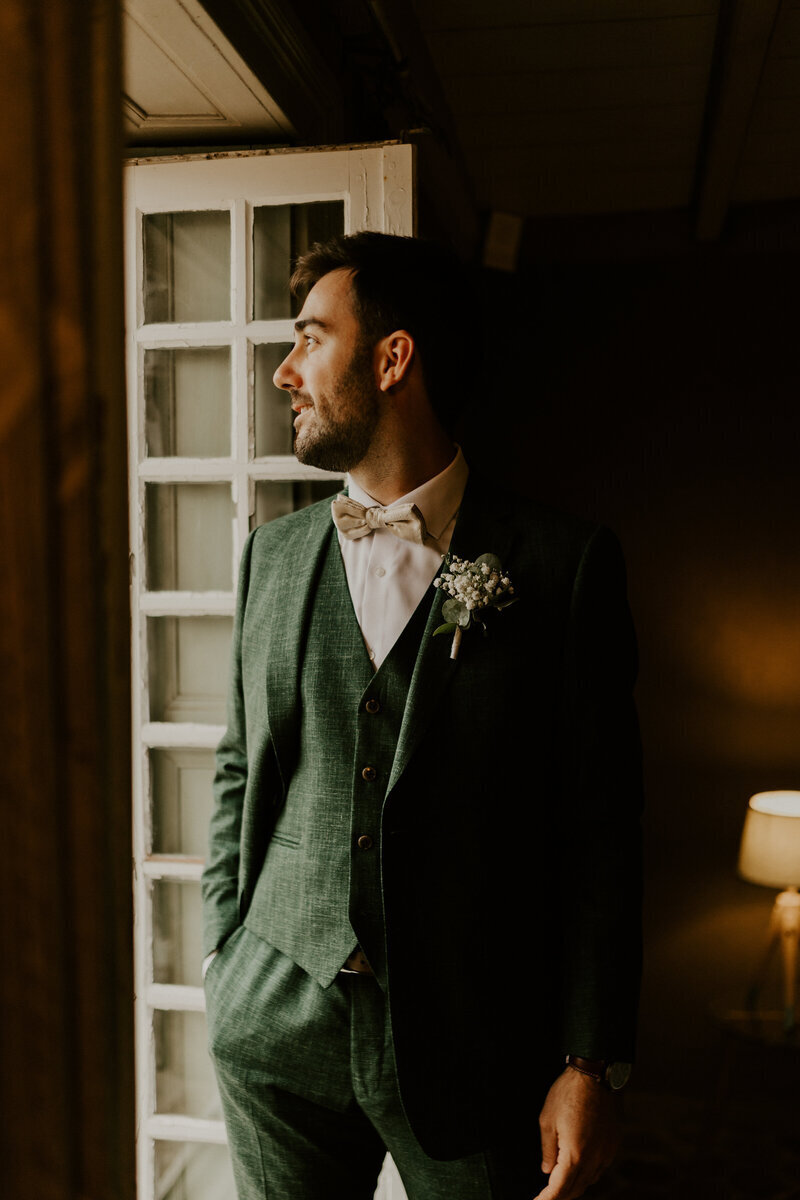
(601, 875)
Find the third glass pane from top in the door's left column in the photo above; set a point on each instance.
(190, 537)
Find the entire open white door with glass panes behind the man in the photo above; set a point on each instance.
(210, 245)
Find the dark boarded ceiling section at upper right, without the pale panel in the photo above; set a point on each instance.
(598, 106)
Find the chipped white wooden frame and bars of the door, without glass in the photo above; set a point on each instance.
(377, 185)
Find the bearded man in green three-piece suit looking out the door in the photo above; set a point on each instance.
(423, 889)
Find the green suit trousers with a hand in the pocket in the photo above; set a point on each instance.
(310, 1090)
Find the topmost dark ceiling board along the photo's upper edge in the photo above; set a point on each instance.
(438, 15)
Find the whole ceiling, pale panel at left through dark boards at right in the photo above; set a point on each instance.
(539, 107)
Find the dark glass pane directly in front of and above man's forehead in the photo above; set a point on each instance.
(281, 233)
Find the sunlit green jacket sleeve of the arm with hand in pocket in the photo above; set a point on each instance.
(221, 875)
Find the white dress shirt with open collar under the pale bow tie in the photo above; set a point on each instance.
(389, 577)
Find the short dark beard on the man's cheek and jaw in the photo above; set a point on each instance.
(342, 440)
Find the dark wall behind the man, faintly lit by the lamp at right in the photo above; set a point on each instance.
(661, 398)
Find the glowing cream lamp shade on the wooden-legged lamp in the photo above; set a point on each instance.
(771, 841)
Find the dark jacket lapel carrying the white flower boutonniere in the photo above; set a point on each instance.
(482, 529)
